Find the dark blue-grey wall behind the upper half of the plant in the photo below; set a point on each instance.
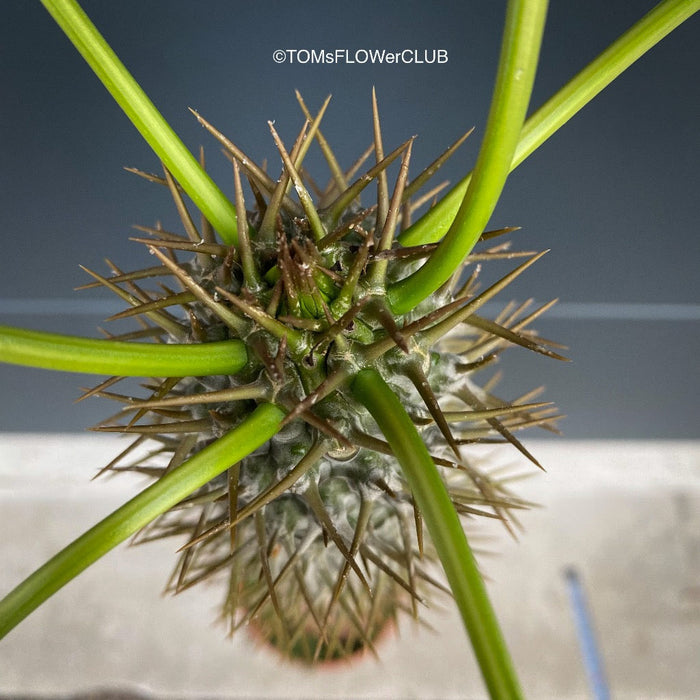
(613, 194)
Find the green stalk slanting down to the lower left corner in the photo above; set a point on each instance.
(263, 423)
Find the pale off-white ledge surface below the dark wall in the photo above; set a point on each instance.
(626, 514)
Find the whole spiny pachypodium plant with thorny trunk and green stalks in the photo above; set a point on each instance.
(310, 364)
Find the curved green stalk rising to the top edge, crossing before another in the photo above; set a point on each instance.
(520, 49)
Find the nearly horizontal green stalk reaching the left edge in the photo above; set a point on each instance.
(72, 354)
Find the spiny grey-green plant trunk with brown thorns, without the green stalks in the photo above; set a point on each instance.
(303, 288)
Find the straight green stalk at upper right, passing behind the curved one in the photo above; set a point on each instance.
(561, 107)
